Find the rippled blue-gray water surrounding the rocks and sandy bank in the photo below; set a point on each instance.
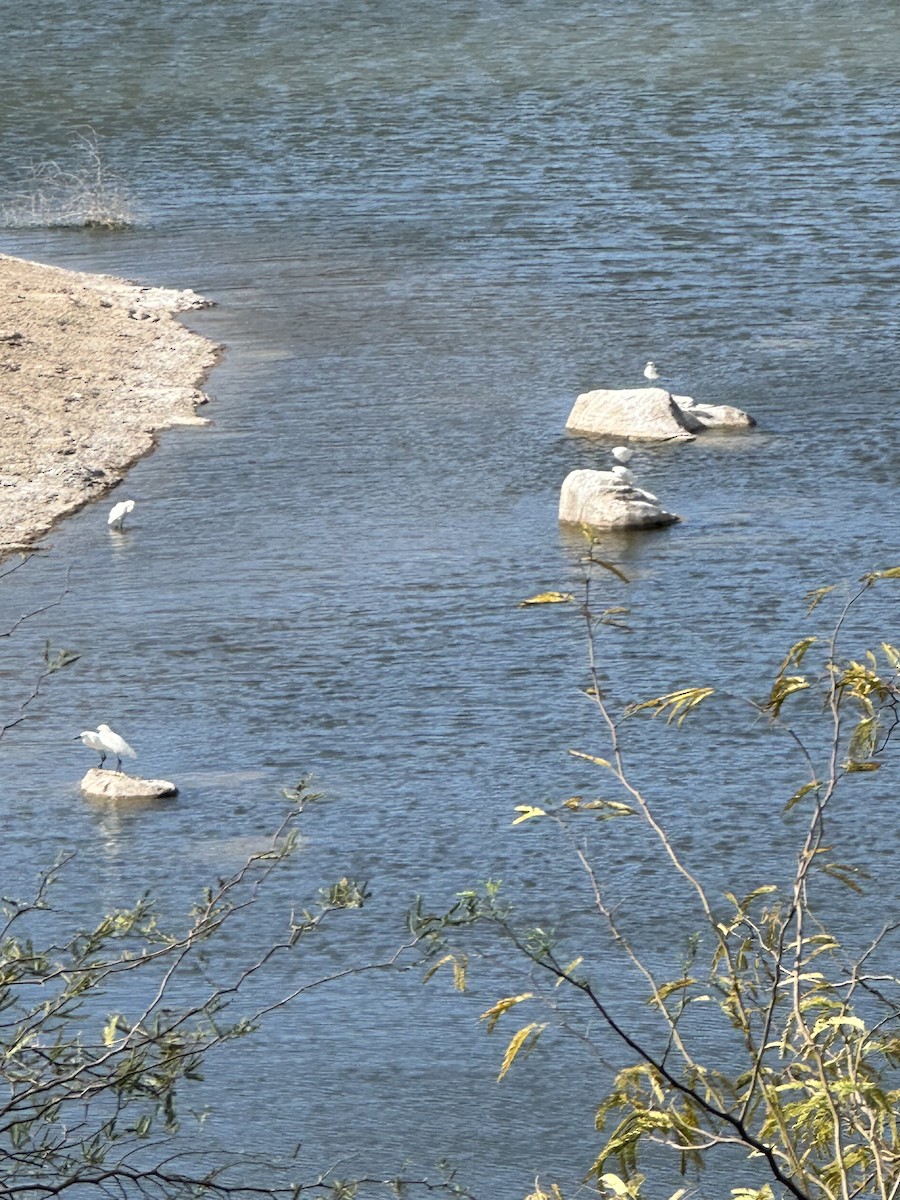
(427, 230)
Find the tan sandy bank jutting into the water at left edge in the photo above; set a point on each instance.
(91, 369)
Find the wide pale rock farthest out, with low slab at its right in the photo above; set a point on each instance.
(652, 415)
